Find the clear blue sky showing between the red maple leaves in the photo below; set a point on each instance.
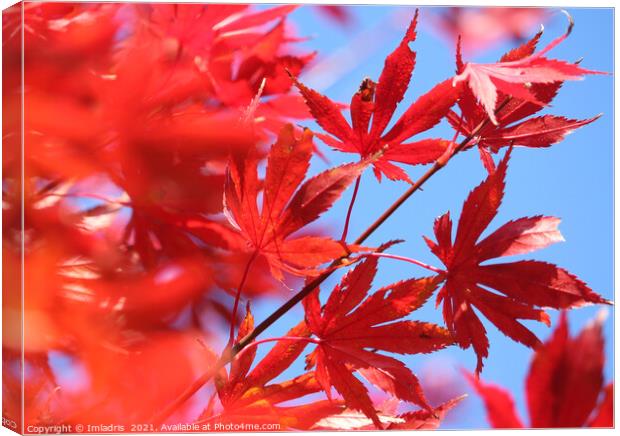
(572, 180)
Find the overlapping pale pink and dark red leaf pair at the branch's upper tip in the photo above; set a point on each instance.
(521, 84)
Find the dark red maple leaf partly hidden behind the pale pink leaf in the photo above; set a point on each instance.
(542, 131)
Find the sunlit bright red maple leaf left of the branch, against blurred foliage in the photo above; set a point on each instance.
(286, 206)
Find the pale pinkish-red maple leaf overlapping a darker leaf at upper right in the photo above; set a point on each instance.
(515, 76)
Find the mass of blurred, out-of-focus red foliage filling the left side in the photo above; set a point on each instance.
(131, 113)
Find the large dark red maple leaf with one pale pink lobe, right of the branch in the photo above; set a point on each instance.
(526, 286)
